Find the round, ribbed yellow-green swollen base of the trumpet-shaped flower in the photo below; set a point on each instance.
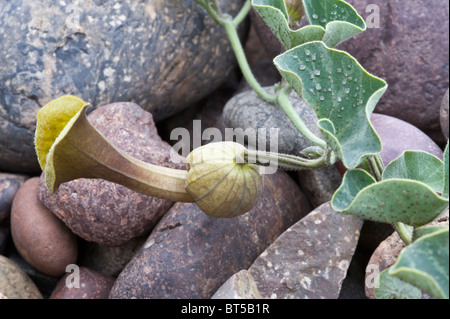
(221, 182)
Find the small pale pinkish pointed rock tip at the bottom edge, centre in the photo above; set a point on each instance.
(240, 286)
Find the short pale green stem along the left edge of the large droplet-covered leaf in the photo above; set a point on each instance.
(284, 102)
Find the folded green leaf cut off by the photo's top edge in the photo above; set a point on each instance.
(332, 21)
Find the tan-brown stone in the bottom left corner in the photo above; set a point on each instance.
(14, 283)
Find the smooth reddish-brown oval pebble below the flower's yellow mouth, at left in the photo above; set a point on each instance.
(39, 236)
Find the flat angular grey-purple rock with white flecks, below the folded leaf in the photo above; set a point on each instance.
(310, 259)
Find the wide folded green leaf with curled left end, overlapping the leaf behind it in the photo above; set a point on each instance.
(390, 201)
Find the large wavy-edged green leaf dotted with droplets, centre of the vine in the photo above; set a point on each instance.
(335, 85)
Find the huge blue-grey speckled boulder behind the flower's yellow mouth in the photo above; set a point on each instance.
(163, 55)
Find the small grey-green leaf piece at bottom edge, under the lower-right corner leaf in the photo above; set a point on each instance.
(390, 287)
